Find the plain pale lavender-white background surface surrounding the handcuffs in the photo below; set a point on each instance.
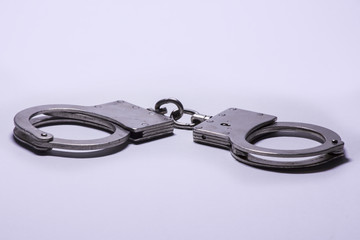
(298, 60)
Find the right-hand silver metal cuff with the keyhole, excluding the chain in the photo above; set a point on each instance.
(238, 130)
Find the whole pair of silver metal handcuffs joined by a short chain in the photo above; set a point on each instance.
(234, 129)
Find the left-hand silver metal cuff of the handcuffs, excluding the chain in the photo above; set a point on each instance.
(125, 120)
